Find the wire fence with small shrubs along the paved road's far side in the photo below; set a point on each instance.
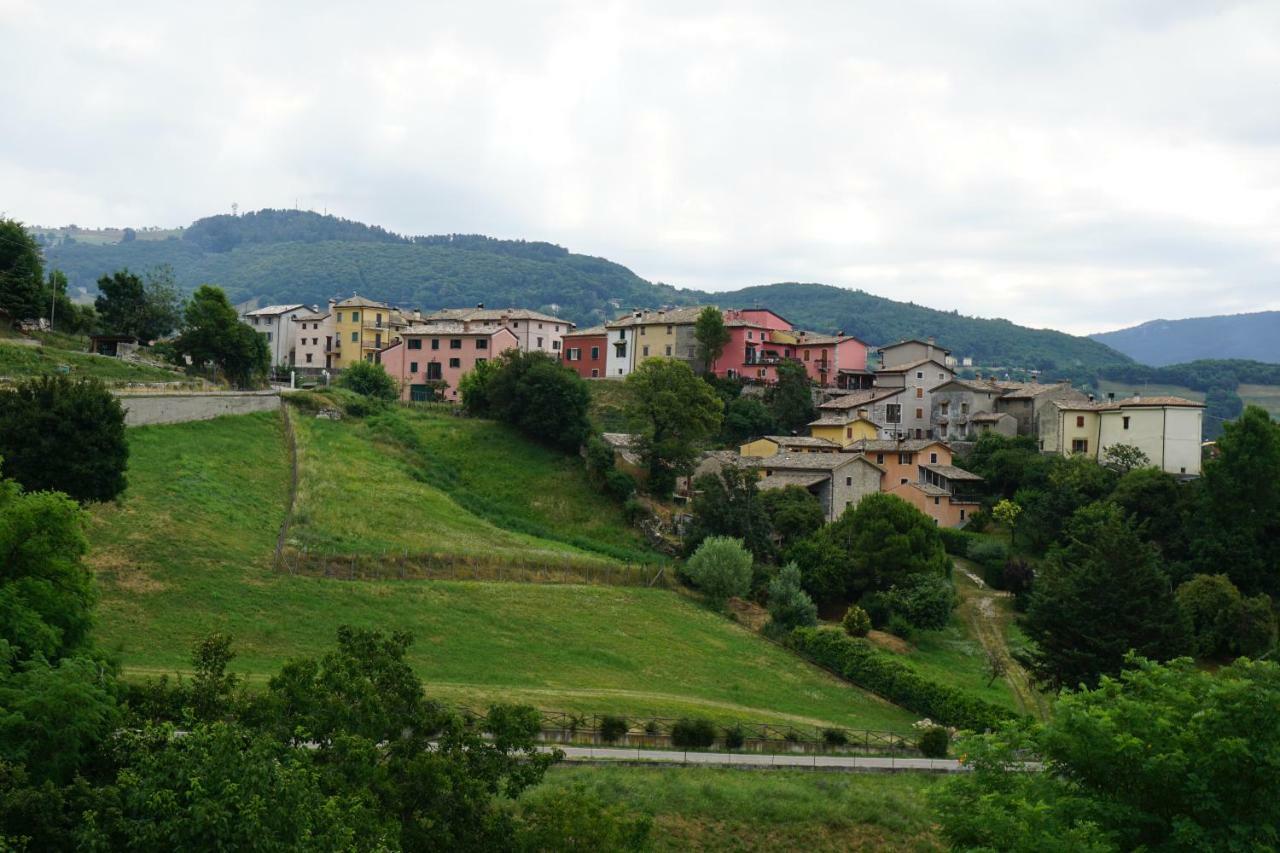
(655, 732)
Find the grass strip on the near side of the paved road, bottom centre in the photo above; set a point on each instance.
(738, 810)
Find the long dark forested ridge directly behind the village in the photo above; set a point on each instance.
(289, 256)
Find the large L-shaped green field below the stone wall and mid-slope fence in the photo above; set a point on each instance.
(188, 553)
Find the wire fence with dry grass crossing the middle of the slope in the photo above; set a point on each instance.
(405, 565)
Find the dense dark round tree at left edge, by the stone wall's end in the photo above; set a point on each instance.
(65, 436)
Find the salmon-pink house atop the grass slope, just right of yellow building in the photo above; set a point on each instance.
(429, 361)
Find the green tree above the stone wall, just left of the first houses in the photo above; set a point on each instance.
(213, 335)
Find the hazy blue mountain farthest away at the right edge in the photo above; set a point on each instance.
(1231, 336)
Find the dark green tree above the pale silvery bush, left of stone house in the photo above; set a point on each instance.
(730, 504)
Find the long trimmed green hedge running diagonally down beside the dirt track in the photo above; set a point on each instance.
(861, 663)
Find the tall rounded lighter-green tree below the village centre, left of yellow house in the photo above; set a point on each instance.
(679, 412)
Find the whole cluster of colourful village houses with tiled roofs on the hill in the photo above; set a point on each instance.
(889, 419)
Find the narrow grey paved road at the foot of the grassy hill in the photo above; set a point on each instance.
(752, 761)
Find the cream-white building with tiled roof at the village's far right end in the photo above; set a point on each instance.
(1168, 430)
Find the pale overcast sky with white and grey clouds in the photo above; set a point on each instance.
(1075, 166)
